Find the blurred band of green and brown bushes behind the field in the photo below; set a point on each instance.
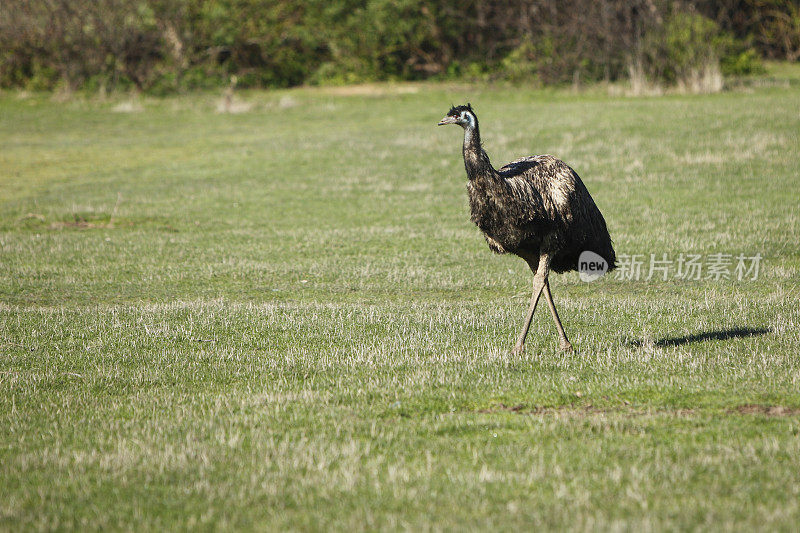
(167, 45)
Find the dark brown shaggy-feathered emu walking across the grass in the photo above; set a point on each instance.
(536, 208)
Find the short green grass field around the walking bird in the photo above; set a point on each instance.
(283, 318)
